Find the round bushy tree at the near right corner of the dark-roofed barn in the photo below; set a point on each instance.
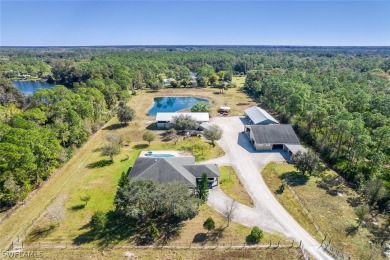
(306, 162)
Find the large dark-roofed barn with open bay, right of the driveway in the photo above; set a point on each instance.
(269, 137)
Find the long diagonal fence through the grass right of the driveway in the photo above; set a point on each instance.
(332, 251)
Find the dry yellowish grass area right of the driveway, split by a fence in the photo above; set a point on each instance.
(332, 213)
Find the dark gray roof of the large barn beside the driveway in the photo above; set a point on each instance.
(274, 134)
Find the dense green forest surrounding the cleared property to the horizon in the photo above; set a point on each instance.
(337, 99)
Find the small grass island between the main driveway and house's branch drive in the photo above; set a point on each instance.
(231, 185)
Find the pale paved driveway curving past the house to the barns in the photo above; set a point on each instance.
(268, 214)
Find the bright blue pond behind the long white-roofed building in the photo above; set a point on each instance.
(173, 104)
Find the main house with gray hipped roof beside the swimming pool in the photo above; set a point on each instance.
(174, 169)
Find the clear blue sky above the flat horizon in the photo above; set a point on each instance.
(98, 22)
